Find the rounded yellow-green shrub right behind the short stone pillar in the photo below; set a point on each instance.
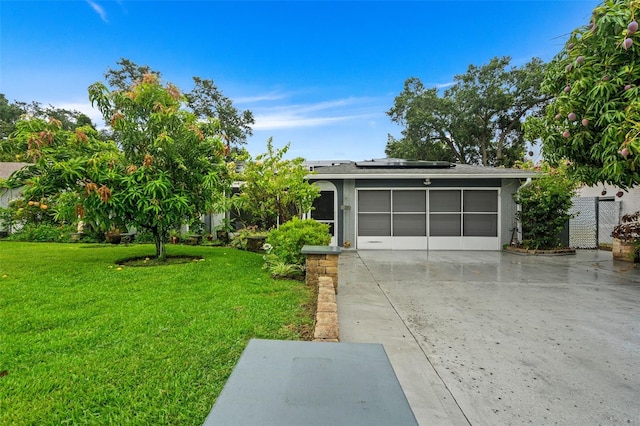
(287, 241)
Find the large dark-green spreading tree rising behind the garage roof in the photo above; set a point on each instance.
(478, 120)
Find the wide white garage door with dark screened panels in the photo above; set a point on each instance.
(435, 219)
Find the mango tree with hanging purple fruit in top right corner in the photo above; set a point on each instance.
(594, 119)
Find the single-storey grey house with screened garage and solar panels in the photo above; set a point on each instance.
(417, 205)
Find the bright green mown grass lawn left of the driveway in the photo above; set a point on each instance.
(82, 342)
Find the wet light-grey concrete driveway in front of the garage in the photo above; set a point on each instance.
(488, 338)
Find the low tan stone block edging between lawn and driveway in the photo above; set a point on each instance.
(326, 322)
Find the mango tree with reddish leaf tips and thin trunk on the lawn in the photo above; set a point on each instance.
(171, 167)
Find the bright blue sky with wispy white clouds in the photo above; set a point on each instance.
(317, 74)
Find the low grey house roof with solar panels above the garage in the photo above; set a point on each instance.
(399, 169)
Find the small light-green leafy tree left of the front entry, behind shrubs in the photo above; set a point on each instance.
(275, 189)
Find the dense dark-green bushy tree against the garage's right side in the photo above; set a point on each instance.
(544, 205)
